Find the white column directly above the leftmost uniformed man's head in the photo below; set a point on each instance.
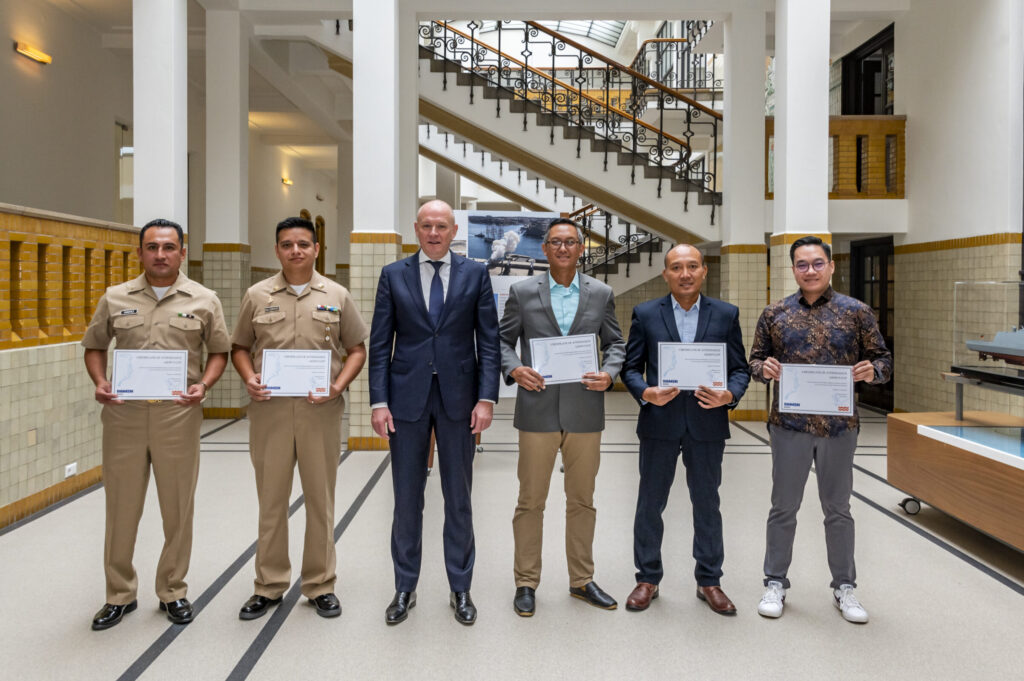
(160, 91)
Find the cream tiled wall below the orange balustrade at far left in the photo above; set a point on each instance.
(49, 418)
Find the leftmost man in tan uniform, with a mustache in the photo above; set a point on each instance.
(161, 310)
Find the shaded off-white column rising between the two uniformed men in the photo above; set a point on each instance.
(228, 129)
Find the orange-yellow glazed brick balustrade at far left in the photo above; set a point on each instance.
(54, 269)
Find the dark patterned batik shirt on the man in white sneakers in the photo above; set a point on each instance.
(836, 330)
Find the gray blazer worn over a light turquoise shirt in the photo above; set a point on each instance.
(568, 407)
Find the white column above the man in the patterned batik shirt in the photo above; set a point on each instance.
(802, 116)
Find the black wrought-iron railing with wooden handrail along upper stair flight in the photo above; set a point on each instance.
(630, 112)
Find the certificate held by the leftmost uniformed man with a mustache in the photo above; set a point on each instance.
(150, 374)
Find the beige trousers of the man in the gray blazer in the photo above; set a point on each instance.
(582, 457)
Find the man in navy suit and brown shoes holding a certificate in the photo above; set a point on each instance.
(695, 422)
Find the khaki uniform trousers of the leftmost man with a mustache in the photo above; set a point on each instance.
(137, 436)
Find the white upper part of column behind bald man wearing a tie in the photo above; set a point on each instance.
(386, 106)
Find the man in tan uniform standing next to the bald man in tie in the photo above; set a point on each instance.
(298, 309)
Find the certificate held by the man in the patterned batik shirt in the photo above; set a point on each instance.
(826, 390)
